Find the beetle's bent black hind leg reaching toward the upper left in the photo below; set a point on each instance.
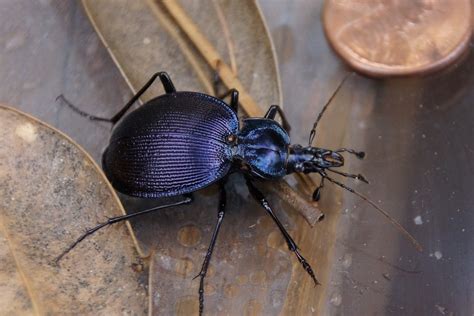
(165, 80)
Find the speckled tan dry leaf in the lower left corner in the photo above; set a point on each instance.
(50, 191)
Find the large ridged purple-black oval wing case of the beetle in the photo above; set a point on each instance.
(172, 145)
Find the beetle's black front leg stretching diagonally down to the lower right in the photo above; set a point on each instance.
(258, 196)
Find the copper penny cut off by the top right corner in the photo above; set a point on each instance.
(398, 37)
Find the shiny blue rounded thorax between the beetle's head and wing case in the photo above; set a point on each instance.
(262, 147)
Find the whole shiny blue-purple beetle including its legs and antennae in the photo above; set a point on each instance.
(181, 142)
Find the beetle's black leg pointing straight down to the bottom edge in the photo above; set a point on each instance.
(207, 259)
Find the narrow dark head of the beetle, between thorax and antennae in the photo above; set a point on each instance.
(312, 159)
